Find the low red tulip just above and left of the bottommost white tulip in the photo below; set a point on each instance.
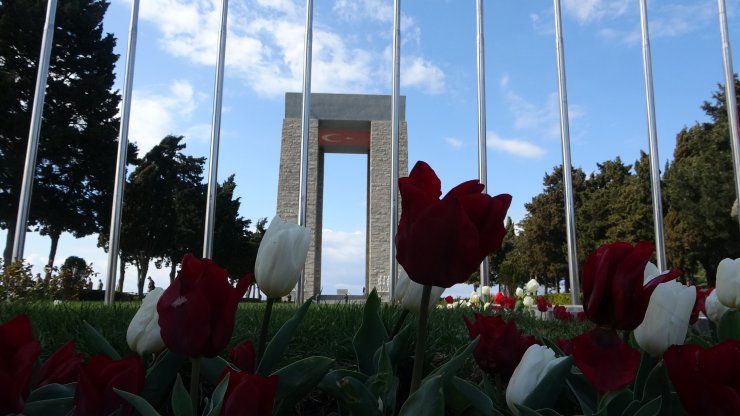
(500, 346)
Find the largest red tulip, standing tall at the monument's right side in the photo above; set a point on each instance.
(442, 242)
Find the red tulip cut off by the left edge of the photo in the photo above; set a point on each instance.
(18, 352)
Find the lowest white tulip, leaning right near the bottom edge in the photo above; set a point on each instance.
(538, 361)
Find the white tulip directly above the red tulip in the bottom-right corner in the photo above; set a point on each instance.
(667, 317)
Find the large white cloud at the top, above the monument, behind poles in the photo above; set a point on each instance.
(265, 45)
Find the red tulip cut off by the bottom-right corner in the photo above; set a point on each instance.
(706, 380)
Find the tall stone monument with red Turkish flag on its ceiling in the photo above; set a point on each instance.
(343, 123)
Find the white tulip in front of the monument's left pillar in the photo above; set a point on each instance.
(281, 257)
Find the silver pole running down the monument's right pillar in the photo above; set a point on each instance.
(395, 100)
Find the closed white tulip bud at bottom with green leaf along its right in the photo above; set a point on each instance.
(536, 380)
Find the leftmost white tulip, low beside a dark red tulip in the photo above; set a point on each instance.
(143, 335)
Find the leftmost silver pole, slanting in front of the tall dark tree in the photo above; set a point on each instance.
(19, 241)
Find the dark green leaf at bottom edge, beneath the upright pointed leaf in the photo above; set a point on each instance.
(351, 393)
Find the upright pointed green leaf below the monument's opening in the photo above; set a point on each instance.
(370, 336)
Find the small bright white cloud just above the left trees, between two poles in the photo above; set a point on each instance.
(153, 116)
